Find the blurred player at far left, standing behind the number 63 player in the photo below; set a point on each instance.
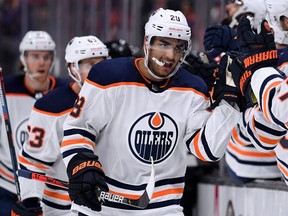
(37, 54)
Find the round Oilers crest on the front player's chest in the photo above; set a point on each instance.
(153, 134)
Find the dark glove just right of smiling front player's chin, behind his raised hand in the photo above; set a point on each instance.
(196, 66)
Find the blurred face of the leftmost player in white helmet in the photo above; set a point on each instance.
(38, 64)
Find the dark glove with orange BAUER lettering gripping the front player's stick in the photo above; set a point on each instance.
(86, 179)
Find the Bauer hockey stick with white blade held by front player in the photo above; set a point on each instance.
(140, 203)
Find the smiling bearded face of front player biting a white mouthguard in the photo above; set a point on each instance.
(166, 50)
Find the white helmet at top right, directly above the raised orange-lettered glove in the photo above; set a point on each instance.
(255, 7)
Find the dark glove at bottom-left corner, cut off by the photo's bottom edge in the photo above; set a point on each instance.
(28, 207)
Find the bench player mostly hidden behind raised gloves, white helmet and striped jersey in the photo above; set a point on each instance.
(246, 163)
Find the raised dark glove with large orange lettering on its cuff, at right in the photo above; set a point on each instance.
(258, 50)
